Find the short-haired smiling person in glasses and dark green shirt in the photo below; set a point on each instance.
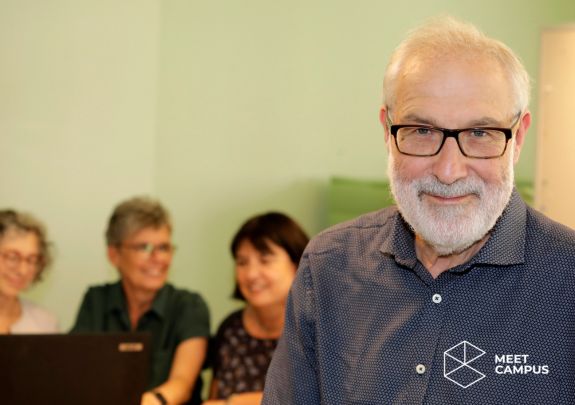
(140, 248)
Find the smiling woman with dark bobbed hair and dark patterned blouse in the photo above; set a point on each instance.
(266, 249)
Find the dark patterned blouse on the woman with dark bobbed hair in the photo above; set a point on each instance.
(240, 360)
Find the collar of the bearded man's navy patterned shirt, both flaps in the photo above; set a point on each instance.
(505, 246)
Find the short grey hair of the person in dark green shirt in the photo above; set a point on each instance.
(132, 216)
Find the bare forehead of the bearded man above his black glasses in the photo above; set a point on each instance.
(457, 93)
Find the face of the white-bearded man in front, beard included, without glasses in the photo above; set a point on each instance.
(452, 201)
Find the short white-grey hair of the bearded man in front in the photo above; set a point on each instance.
(445, 37)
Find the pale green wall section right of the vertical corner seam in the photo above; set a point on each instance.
(262, 102)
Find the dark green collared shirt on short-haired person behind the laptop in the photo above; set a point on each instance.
(175, 315)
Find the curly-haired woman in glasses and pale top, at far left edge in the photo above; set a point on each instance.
(24, 256)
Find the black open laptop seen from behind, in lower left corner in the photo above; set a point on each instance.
(79, 369)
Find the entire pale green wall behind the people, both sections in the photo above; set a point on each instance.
(223, 109)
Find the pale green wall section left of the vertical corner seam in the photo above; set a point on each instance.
(78, 126)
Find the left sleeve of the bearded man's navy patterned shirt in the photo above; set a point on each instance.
(292, 376)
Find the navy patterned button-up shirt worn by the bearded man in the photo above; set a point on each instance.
(367, 324)
